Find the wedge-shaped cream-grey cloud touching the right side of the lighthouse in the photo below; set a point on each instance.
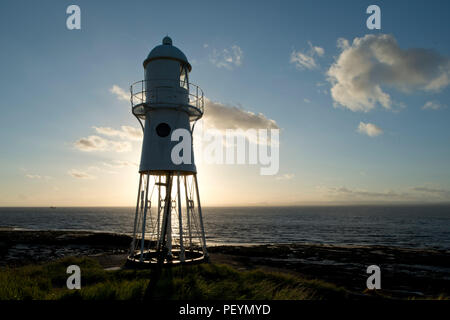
(221, 117)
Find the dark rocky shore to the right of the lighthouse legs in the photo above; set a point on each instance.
(405, 273)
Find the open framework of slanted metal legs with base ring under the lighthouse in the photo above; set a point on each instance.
(173, 232)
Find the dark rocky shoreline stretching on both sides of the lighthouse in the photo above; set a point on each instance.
(406, 273)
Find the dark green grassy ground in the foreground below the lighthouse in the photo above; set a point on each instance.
(207, 281)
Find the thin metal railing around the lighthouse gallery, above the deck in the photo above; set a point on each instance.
(145, 92)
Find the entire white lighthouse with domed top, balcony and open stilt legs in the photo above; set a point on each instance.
(168, 225)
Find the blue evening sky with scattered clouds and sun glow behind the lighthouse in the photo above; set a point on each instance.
(363, 114)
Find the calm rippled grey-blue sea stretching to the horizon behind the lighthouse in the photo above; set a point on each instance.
(404, 226)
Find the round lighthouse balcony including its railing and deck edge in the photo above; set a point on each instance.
(164, 93)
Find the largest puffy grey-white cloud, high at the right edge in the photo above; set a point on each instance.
(370, 63)
